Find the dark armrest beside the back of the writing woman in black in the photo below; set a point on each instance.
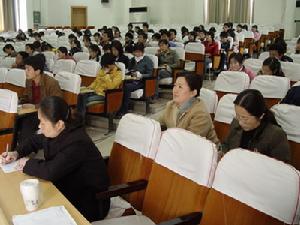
(117, 190)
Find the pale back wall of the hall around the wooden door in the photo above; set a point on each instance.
(189, 12)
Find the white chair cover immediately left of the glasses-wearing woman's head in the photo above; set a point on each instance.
(225, 111)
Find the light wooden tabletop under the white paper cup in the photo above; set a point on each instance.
(11, 202)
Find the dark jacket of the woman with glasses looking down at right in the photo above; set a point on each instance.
(268, 139)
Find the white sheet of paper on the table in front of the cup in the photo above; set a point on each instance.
(53, 215)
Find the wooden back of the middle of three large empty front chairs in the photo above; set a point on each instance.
(170, 195)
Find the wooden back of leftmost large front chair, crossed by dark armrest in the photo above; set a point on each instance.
(126, 165)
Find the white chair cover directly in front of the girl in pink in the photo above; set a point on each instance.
(232, 81)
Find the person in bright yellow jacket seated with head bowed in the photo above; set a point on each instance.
(109, 77)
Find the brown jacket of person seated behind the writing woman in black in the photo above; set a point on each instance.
(49, 87)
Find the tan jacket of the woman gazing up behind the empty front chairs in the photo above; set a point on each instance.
(195, 119)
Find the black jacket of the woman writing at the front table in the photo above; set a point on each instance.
(74, 165)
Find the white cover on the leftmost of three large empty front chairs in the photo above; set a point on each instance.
(139, 134)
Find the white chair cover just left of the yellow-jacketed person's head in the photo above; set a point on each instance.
(87, 68)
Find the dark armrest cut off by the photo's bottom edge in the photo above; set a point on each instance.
(190, 219)
